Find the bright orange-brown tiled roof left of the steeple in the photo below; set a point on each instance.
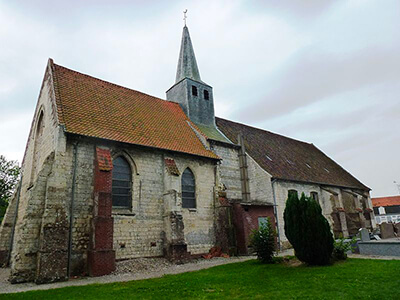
(92, 107)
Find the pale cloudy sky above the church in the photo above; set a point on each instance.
(324, 72)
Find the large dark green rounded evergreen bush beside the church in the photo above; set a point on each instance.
(307, 230)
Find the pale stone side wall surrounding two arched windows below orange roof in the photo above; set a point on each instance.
(140, 232)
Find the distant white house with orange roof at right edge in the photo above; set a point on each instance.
(387, 209)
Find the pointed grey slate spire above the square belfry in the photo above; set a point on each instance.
(187, 65)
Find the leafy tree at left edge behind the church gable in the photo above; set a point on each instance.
(9, 174)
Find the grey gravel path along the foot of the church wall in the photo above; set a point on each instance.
(134, 269)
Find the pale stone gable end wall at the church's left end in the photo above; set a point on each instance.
(45, 140)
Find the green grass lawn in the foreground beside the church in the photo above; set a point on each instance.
(352, 279)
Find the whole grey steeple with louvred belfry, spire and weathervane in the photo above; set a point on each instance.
(193, 95)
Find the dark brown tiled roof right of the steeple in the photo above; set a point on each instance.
(289, 159)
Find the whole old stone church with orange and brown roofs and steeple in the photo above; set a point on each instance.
(110, 173)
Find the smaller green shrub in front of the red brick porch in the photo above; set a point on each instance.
(263, 242)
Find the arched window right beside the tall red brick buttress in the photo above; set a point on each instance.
(121, 183)
